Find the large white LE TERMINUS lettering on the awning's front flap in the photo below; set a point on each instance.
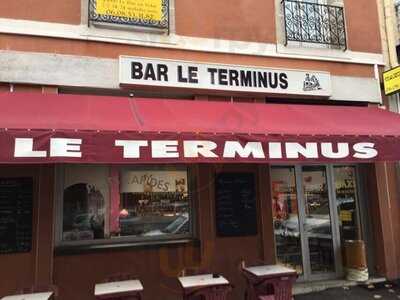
(202, 149)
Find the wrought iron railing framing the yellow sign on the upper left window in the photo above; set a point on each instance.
(143, 20)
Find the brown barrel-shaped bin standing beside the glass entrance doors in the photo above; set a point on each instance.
(356, 260)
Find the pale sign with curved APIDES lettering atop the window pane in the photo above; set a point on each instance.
(154, 181)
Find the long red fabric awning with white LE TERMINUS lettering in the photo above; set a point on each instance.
(36, 128)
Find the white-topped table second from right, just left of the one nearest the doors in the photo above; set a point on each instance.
(206, 285)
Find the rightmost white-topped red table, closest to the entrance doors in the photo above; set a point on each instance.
(270, 280)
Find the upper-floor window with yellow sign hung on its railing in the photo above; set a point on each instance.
(152, 14)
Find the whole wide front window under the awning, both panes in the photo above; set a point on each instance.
(102, 204)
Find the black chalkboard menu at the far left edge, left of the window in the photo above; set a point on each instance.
(16, 215)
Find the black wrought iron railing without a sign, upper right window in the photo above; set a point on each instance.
(314, 23)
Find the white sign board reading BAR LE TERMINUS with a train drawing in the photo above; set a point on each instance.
(180, 74)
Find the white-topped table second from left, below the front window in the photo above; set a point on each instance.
(127, 289)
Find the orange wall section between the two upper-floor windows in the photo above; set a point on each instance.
(244, 20)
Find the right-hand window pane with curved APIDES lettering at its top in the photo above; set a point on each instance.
(154, 203)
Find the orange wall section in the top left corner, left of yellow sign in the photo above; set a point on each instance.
(57, 11)
